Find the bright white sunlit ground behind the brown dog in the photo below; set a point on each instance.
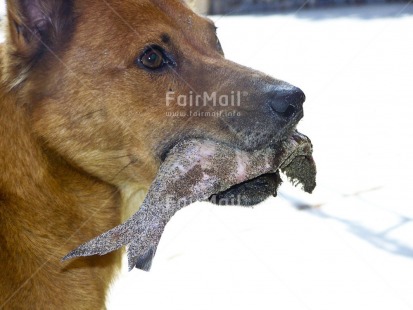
(348, 246)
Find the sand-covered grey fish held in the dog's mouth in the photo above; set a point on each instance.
(196, 170)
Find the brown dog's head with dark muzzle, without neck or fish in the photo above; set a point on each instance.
(111, 86)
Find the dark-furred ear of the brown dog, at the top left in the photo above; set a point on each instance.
(38, 25)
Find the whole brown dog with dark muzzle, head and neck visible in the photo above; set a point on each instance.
(89, 106)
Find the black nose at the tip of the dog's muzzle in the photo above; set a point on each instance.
(287, 100)
